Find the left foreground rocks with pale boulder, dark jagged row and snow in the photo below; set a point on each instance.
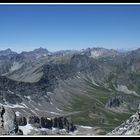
(10, 124)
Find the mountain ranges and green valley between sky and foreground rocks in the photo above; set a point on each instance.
(96, 87)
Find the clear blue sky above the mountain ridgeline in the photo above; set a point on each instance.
(61, 27)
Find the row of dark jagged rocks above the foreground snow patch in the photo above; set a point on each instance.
(48, 123)
